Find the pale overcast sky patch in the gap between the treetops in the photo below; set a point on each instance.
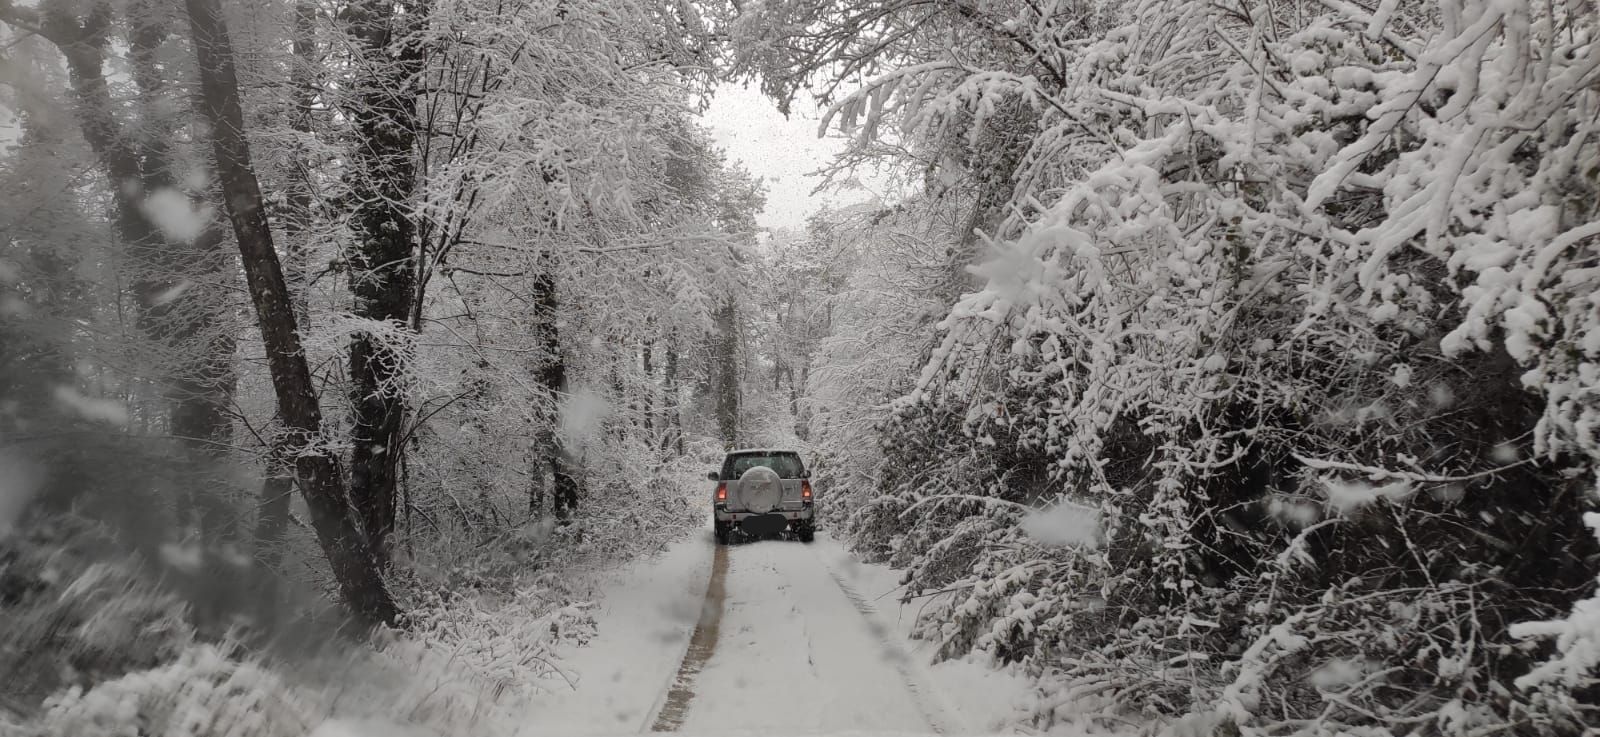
(778, 151)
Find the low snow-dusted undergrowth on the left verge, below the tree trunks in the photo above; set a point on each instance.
(103, 643)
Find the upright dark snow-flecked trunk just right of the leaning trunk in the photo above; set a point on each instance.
(383, 265)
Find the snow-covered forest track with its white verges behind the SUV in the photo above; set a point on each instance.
(764, 639)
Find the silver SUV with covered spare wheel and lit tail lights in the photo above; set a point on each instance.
(764, 493)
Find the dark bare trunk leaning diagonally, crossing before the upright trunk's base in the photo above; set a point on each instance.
(318, 469)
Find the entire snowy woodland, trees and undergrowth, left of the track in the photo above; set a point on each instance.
(342, 346)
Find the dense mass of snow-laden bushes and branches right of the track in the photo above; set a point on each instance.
(1298, 301)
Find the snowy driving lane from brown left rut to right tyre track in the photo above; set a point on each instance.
(796, 651)
